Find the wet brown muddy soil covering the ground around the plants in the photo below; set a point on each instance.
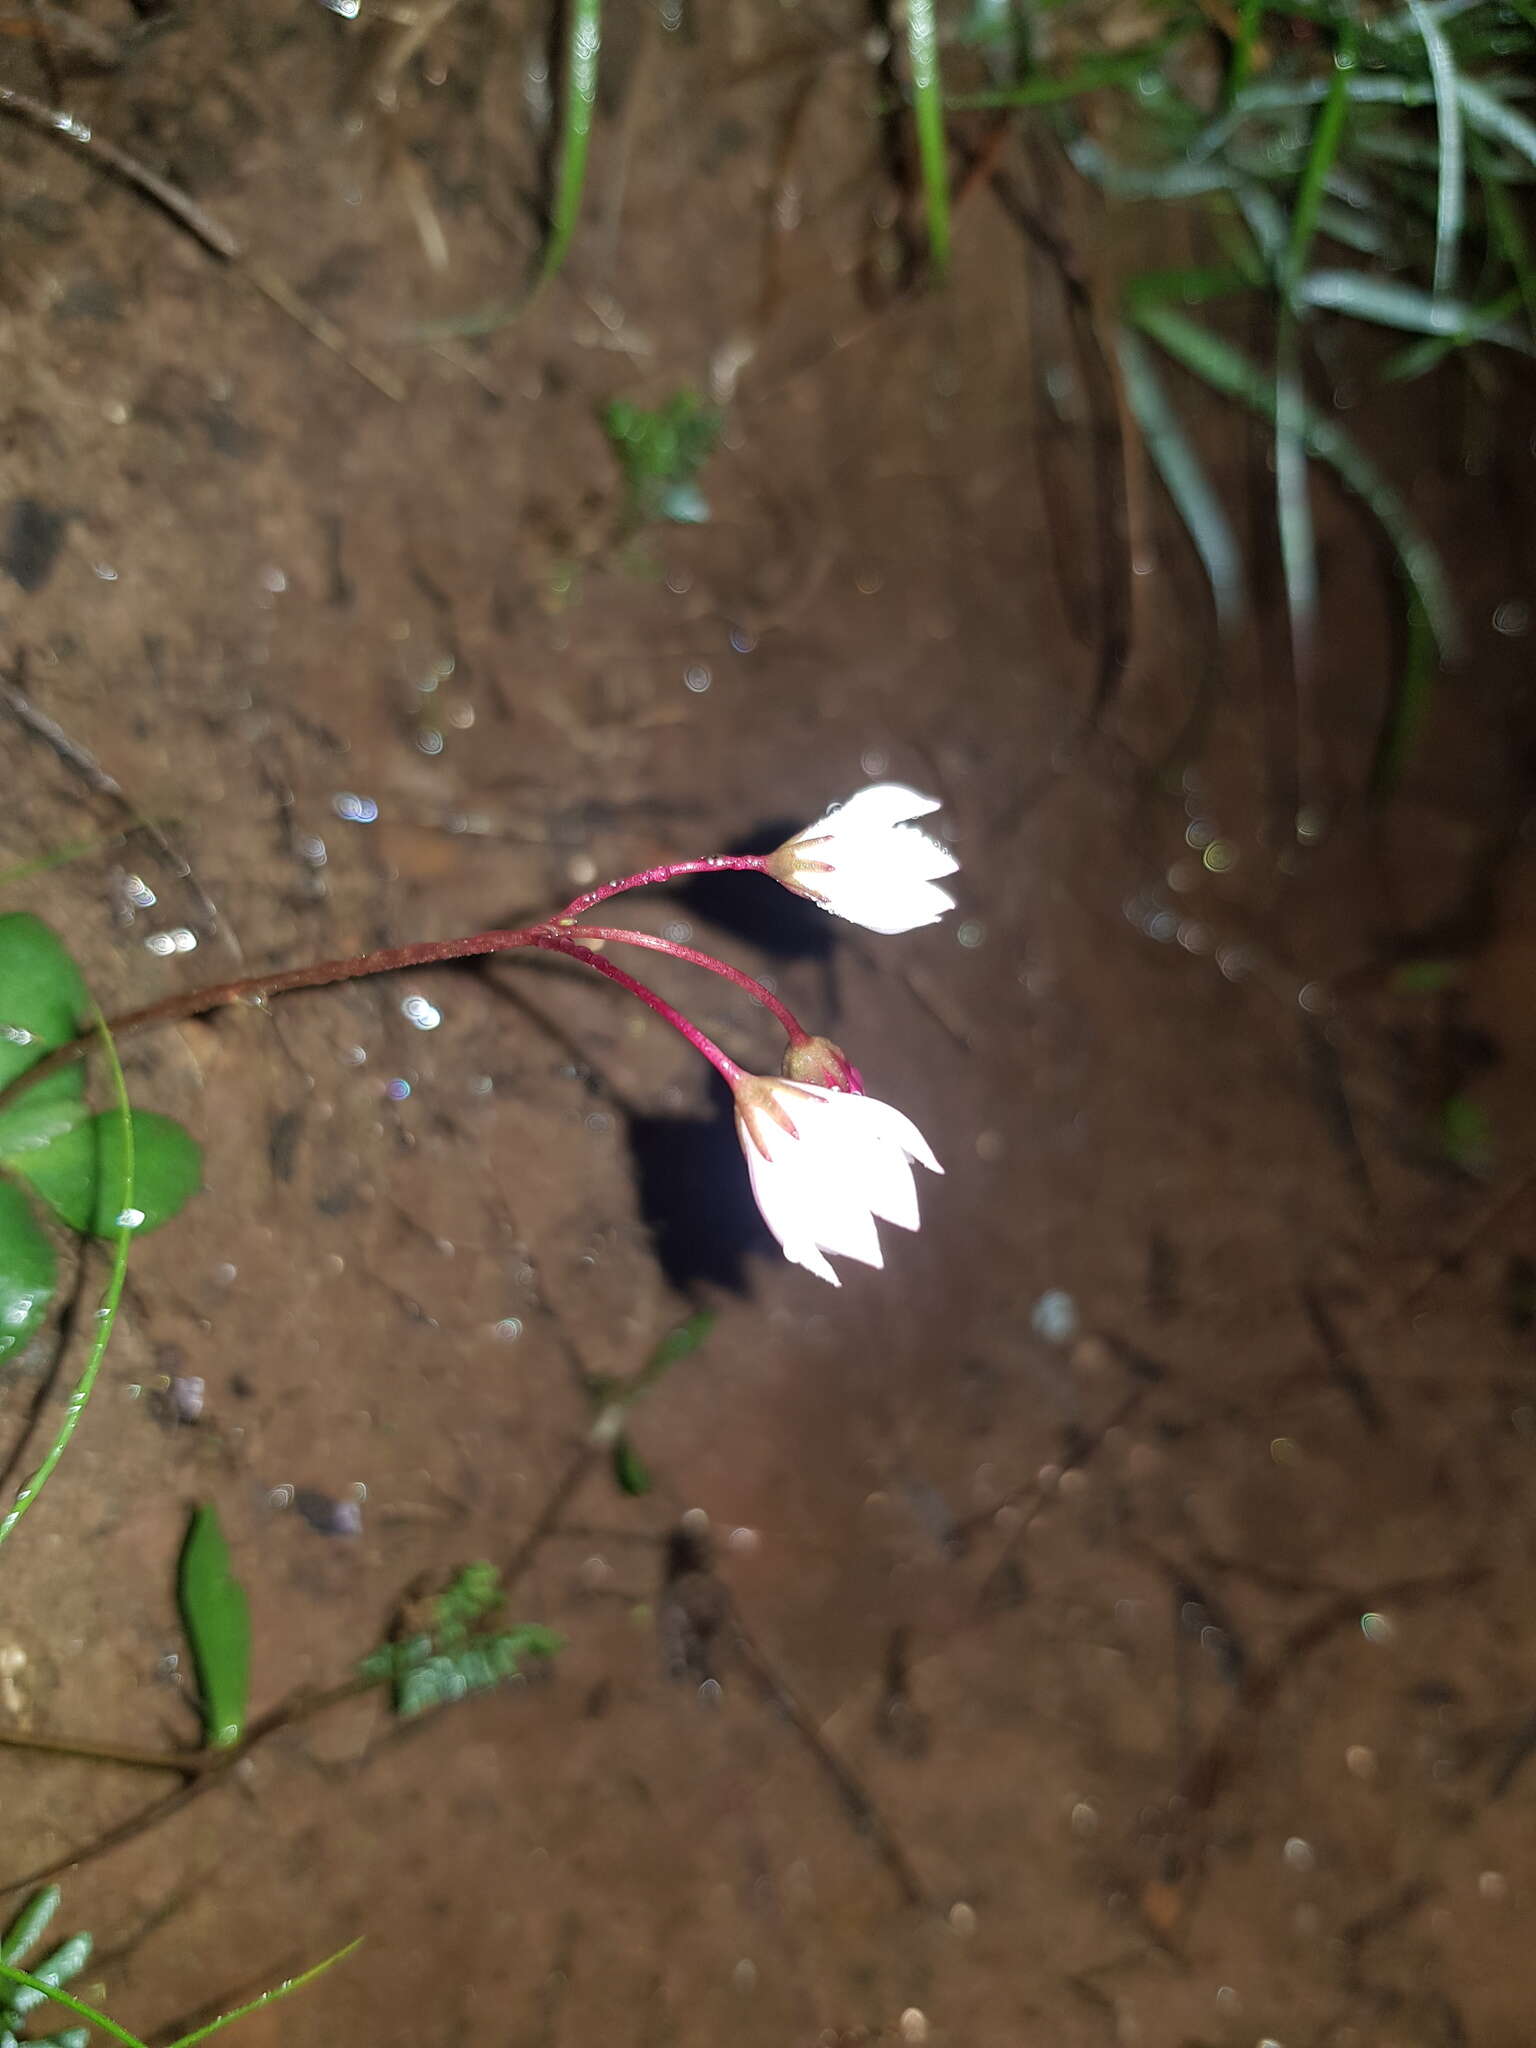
(1041, 1709)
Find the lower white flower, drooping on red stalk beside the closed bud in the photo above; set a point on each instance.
(824, 1166)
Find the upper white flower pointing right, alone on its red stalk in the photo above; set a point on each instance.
(867, 863)
